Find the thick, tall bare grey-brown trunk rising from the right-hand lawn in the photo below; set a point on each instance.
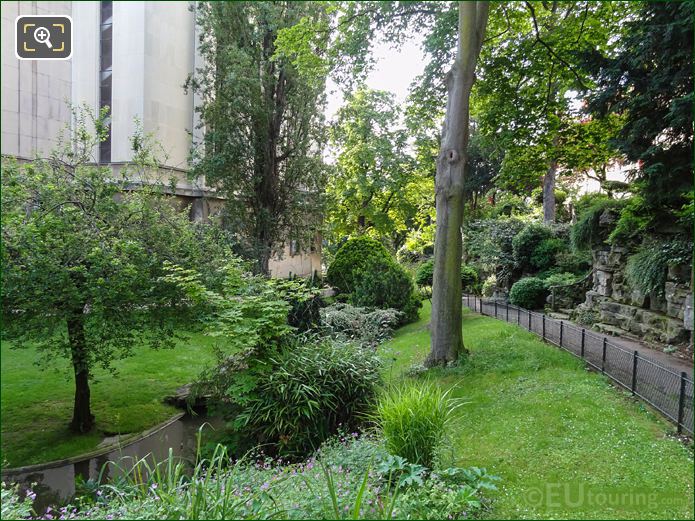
(445, 328)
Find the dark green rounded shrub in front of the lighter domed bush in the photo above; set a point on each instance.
(385, 284)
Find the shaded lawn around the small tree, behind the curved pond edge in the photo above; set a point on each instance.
(37, 403)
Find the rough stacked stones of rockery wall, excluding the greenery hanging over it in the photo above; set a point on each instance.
(621, 310)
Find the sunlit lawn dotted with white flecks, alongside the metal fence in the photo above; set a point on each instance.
(566, 443)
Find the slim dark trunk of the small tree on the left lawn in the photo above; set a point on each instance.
(82, 417)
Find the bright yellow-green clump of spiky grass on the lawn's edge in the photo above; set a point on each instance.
(413, 418)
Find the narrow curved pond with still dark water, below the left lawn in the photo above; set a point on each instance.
(54, 482)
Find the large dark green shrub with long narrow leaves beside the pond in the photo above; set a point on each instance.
(292, 400)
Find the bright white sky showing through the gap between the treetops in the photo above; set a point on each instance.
(394, 71)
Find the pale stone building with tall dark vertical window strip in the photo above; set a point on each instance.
(133, 57)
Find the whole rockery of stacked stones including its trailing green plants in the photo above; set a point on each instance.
(639, 290)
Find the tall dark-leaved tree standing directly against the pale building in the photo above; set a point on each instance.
(262, 113)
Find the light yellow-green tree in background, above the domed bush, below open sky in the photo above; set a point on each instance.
(373, 188)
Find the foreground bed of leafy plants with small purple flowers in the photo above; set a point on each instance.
(350, 477)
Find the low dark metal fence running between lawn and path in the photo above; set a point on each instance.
(662, 388)
